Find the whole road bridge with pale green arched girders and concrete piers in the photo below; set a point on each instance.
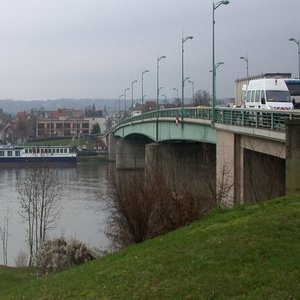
(246, 150)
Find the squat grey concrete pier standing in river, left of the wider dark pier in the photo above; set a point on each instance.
(130, 154)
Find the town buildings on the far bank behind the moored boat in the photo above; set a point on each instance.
(42, 124)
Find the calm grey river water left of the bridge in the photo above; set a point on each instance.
(82, 215)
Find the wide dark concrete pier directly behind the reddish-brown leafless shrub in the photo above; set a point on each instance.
(183, 163)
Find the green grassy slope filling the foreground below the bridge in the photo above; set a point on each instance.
(245, 253)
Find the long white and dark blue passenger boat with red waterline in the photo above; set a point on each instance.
(17, 156)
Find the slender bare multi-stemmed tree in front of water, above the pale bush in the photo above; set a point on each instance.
(40, 194)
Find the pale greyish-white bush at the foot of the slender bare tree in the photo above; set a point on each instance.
(58, 254)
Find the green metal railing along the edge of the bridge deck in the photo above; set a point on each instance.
(267, 119)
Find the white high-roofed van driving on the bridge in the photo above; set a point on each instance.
(268, 94)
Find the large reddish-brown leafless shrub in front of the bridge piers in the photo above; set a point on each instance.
(145, 204)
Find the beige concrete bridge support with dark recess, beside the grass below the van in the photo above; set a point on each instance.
(249, 169)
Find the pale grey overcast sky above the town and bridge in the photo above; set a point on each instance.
(96, 48)
